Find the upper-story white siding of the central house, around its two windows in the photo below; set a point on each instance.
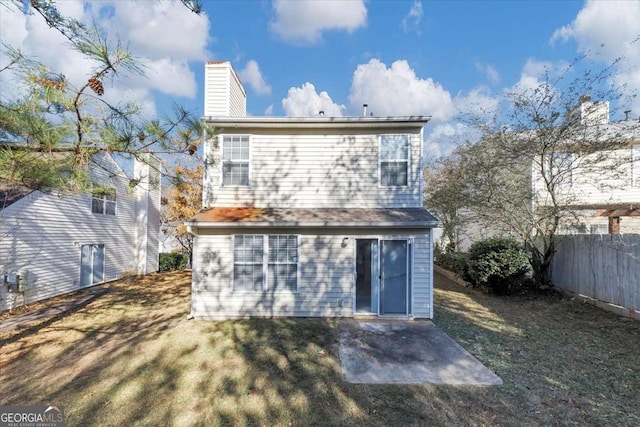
(314, 170)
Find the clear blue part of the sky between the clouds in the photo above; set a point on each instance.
(450, 42)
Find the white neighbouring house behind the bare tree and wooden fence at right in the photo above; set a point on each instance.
(601, 189)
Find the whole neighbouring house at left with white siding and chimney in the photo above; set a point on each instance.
(52, 244)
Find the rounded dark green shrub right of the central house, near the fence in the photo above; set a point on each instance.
(498, 264)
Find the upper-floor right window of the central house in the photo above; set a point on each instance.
(394, 160)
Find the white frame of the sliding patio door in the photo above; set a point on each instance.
(410, 273)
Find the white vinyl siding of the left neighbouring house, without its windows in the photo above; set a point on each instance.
(44, 234)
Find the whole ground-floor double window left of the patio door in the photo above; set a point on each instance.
(269, 263)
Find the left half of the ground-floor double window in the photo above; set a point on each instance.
(248, 263)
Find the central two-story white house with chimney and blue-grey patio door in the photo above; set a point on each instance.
(309, 216)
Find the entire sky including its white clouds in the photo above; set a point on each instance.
(435, 58)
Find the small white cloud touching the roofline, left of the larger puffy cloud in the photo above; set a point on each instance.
(306, 102)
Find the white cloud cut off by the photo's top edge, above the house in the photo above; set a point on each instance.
(303, 21)
